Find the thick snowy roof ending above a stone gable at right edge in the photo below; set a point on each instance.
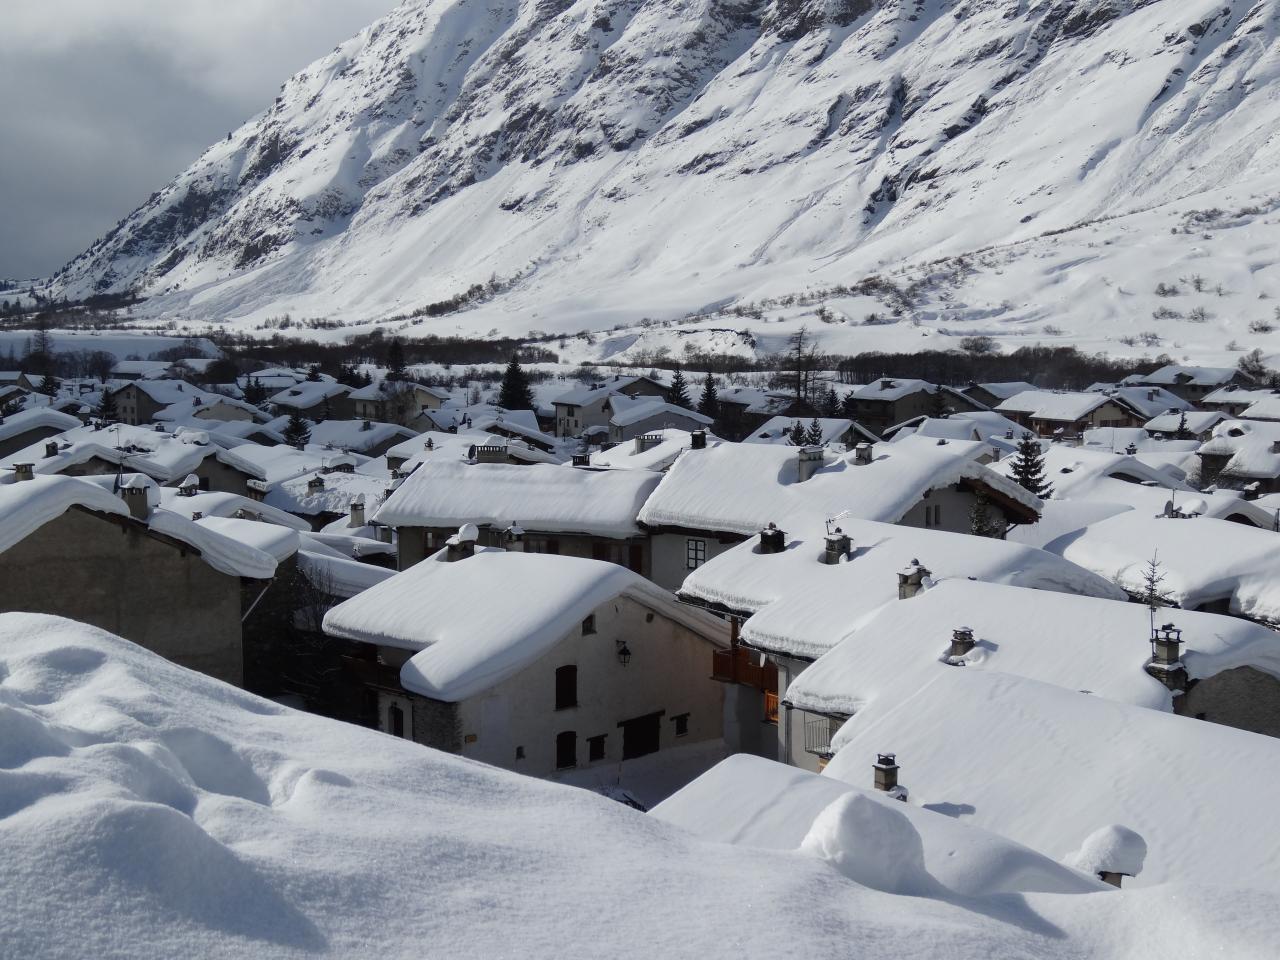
(1077, 643)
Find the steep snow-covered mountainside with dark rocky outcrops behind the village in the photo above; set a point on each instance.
(597, 162)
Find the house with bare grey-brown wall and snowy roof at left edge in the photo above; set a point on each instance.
(72, 548)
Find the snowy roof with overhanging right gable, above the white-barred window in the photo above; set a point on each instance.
(739, 488)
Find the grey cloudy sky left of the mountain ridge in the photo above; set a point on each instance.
(103, 102)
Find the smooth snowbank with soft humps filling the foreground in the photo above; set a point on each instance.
(147, 811)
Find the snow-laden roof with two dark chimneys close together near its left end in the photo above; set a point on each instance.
(803, 607)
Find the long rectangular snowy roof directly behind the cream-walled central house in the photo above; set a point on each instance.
(542, 497)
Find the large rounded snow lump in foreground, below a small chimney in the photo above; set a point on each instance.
(871, 844)
